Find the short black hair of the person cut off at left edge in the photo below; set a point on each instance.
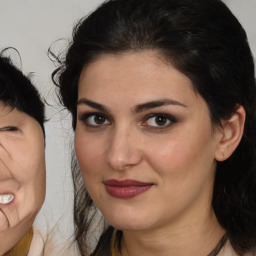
(17, 91)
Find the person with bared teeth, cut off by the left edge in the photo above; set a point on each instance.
(22, 162)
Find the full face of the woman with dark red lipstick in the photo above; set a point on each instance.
(144, 142)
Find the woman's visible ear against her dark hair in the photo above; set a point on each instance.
(231, 134)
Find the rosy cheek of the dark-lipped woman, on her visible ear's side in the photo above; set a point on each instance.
(179, 156)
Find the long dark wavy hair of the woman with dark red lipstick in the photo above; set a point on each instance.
(204, 41)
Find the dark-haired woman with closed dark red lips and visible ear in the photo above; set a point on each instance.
(162, 95)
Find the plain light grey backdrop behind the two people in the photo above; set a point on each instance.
(32, 26)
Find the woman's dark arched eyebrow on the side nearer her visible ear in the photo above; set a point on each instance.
(156, 103)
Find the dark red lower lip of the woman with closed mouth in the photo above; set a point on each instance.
(126, 191)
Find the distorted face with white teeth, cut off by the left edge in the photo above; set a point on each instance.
(22, 174)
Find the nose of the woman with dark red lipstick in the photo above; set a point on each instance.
(123, 152)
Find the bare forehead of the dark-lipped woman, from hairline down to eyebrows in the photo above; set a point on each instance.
(139, 75)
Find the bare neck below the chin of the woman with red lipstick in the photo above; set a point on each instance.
(193, 238)
